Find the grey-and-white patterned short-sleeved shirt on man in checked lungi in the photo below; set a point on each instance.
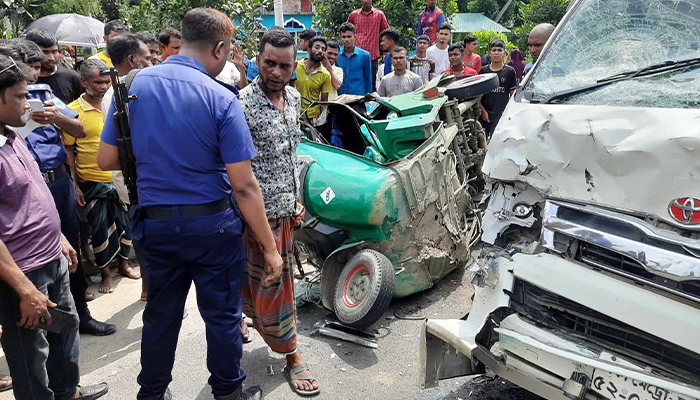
(276, 135)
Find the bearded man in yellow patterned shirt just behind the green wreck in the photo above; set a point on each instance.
(313, 82)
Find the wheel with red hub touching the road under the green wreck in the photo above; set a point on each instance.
(364, 289)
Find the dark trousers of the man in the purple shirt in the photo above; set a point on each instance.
(43, 365)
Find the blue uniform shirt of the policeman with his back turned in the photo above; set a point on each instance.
(185, 126)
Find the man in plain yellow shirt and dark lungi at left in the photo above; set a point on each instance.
(106, 214)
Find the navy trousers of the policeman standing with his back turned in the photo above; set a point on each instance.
(209, 251)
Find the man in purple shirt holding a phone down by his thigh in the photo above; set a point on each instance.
(35, 260)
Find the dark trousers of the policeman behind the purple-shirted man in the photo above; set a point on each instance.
(63, 193)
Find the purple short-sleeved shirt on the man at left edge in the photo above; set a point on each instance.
(29, 223)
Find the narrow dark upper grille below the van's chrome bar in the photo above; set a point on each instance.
(600, 257)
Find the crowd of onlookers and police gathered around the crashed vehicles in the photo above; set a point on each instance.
(217, 188)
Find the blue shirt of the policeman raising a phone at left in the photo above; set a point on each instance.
(45, 143)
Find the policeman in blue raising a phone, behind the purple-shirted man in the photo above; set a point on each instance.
(45, 145)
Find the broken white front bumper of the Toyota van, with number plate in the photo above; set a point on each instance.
(577, 333)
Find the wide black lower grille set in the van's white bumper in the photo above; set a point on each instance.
(556, 312)
